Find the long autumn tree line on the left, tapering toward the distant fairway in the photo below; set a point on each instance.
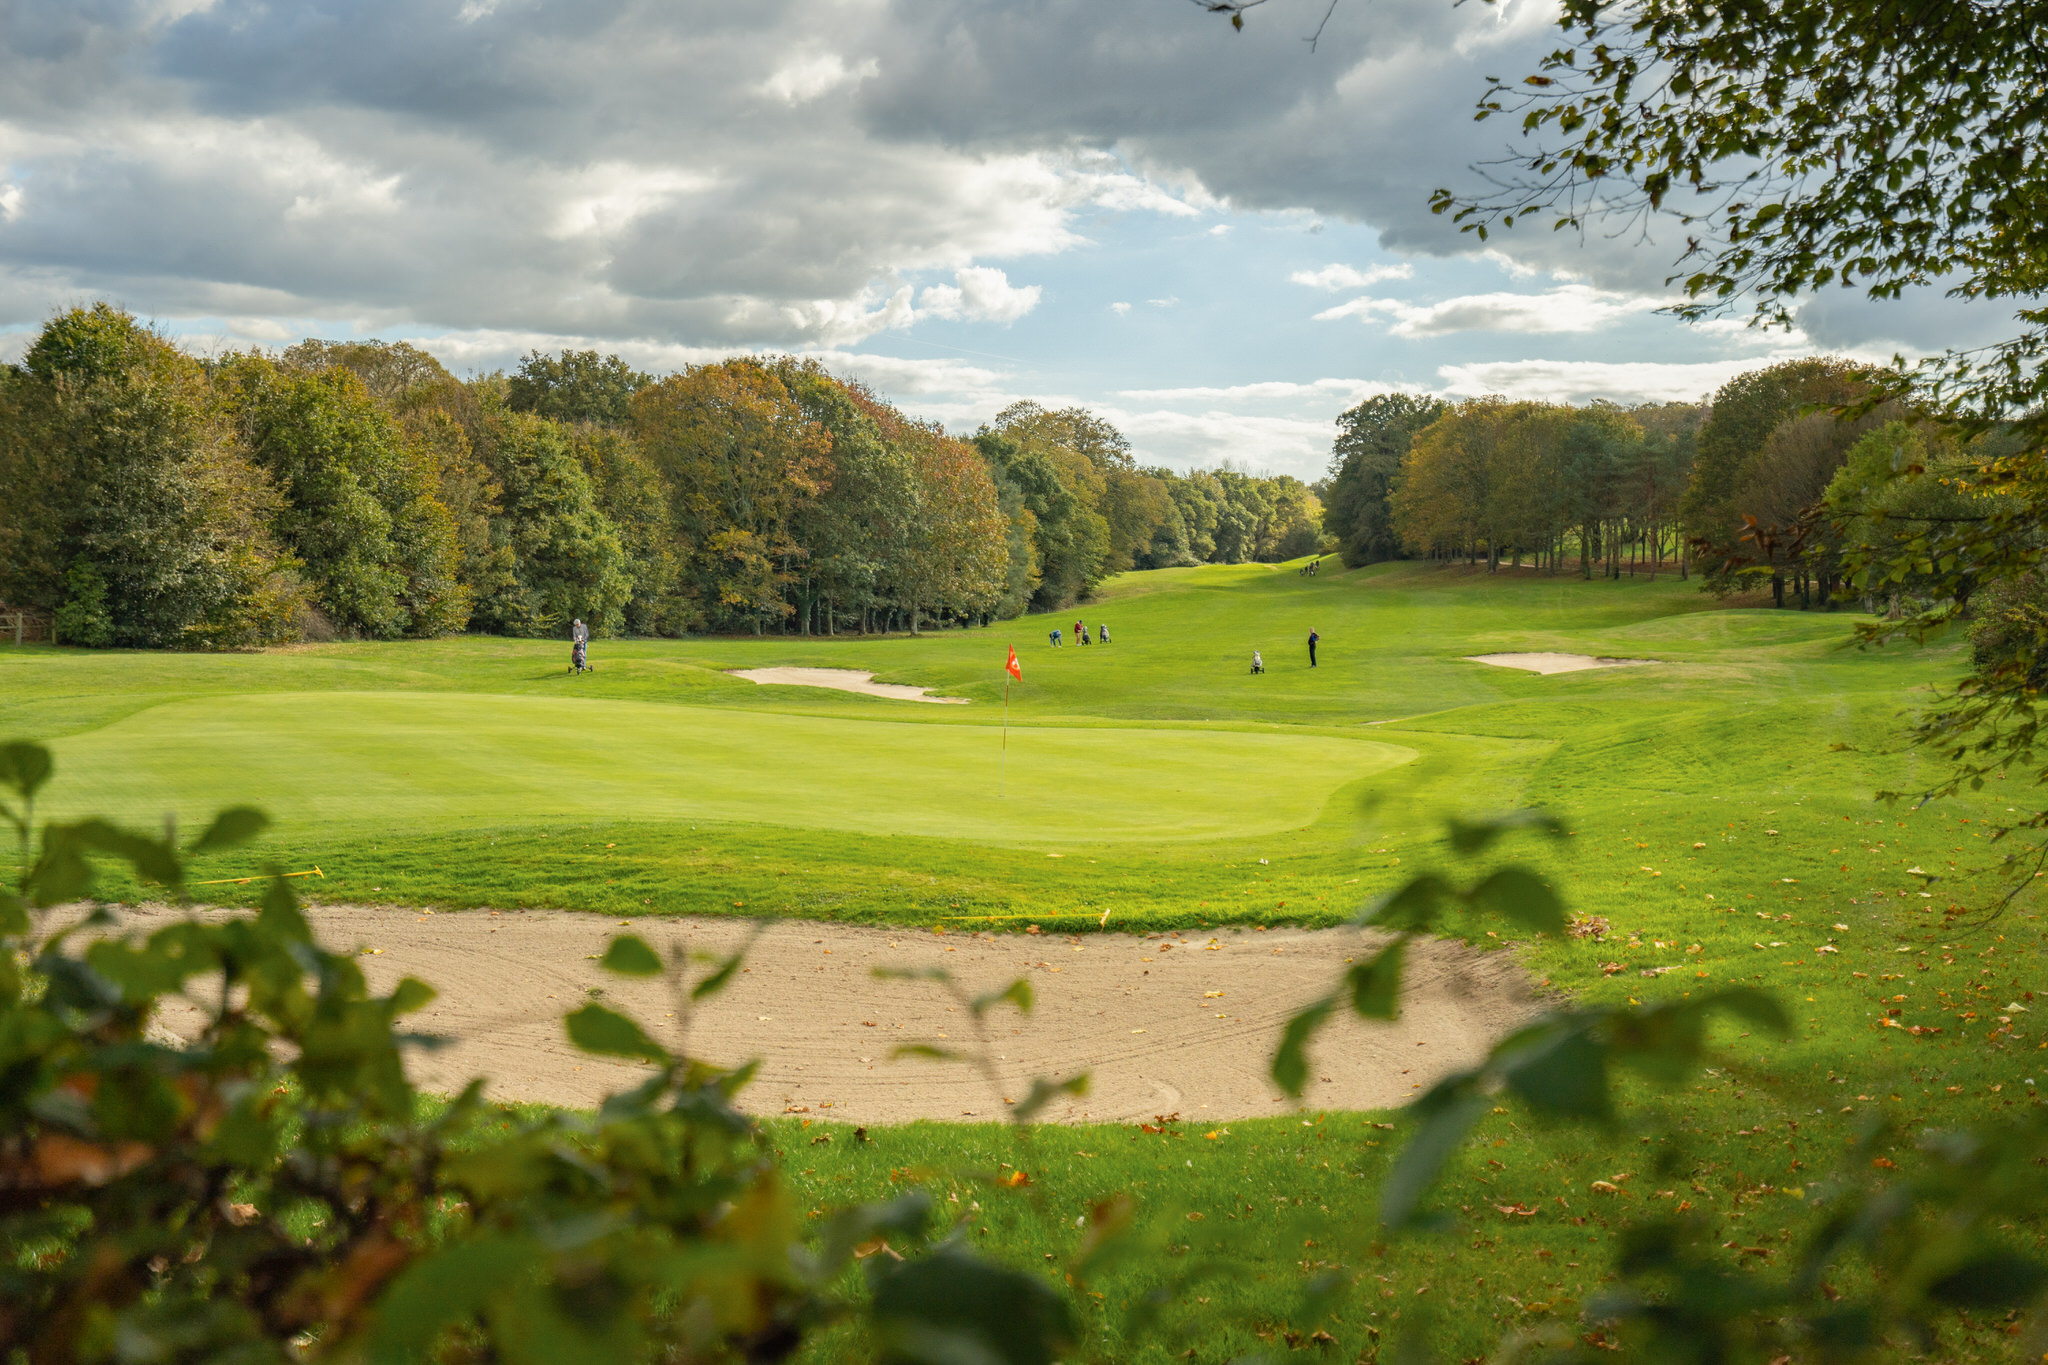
(357, 490)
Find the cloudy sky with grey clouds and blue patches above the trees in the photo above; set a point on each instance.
(1220, 240)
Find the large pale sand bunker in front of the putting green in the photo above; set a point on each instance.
(1164, 1030)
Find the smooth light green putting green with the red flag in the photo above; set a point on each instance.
(421, 762)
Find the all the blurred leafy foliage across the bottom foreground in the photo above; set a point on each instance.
(278, 1190)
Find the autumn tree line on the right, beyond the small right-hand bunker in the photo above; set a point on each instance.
(1781, 482)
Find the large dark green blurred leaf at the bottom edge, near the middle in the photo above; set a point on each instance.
(955, 1309)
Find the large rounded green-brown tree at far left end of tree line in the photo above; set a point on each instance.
(132, 513)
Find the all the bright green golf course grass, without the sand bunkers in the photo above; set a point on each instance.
(1723, 811)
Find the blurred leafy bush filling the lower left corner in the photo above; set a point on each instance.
(278, 1190)
